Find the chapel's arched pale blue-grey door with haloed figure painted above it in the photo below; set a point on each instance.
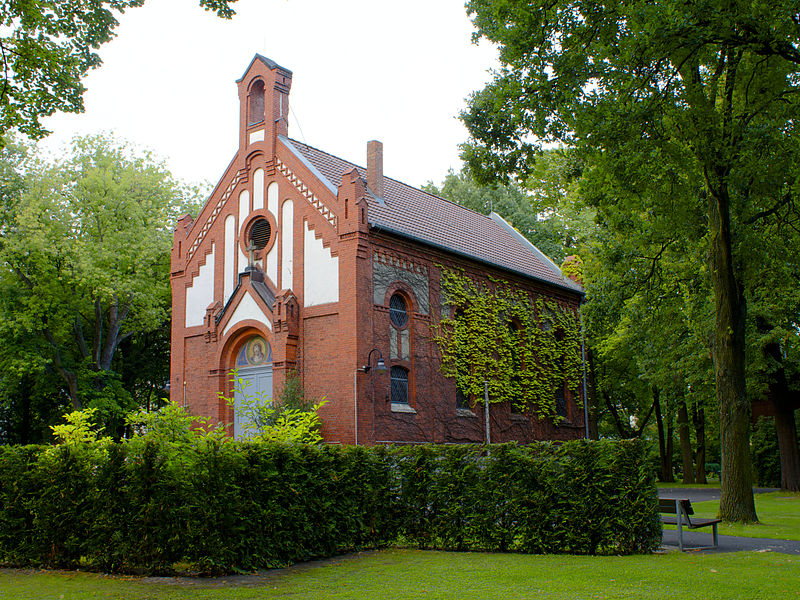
(254, 384)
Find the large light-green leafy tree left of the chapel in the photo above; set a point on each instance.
(85, 269)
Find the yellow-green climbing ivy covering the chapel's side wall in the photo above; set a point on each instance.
(524, 348)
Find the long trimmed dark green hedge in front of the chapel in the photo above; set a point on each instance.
(224, 506)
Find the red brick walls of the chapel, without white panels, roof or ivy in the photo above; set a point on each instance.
(328, 344)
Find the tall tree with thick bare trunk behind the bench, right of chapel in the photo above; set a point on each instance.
(712, 84)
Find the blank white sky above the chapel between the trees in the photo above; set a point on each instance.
(396, 71)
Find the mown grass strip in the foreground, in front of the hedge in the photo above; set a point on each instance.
(409, 574)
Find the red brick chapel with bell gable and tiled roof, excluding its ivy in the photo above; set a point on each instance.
(302, 261)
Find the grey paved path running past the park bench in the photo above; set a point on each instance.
(727, 543)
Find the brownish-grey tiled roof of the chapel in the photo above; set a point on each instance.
(415, 214)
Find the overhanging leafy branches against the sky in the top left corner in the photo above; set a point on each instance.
(47, 47)
